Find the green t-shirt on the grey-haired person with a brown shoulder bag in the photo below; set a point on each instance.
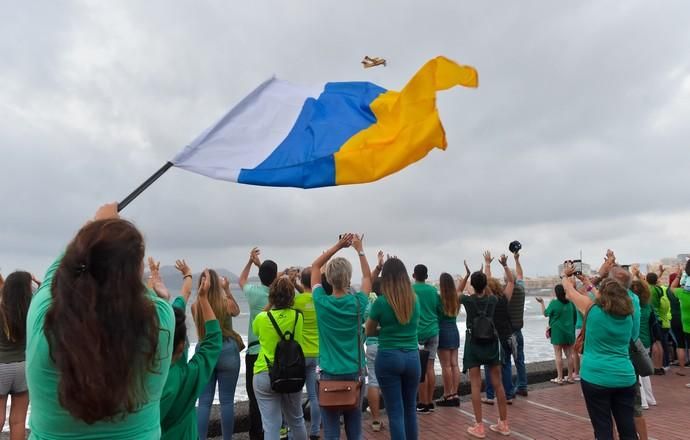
(338, 329)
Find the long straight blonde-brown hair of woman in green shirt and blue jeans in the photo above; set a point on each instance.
(397, 289)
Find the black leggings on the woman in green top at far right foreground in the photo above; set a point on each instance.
(602, 403)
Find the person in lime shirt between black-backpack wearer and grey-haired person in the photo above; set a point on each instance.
(304, 302)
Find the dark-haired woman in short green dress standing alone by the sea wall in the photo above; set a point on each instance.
(562, 317)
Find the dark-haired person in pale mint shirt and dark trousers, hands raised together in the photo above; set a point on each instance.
(257, 297)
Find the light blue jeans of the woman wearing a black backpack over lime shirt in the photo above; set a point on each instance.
(276, 408)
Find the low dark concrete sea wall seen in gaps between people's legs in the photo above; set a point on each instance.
(537, 372)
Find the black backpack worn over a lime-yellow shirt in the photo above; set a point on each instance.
(287, 373)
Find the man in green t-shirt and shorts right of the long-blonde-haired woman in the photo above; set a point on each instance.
(427, 333)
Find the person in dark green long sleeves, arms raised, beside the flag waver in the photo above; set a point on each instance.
(186, 380)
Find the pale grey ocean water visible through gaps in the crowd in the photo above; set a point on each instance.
(537, 347)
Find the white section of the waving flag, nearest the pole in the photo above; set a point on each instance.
(246, 135)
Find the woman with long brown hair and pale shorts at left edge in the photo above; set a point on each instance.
(14, 306)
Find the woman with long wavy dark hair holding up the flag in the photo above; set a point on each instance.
(99, 343)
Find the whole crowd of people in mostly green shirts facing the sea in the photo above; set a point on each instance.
(103, 354)
